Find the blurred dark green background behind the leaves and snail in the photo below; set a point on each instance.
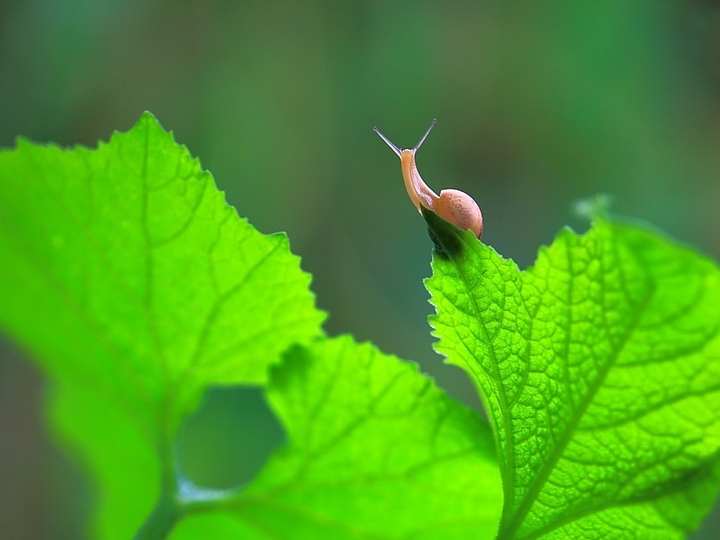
(538, 104)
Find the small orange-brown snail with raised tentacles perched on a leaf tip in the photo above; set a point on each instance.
(452, 205)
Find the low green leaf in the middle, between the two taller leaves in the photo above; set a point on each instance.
(375, 451)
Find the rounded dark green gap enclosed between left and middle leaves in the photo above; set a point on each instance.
(229, 438)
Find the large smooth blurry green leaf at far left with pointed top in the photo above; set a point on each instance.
(132, 282)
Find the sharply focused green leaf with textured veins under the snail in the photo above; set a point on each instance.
(600, 371)
